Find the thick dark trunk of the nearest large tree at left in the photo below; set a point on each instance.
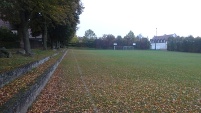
(25, 33)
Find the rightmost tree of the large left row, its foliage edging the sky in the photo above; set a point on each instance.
(64, 32)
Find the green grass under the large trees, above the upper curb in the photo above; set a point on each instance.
(18, 60)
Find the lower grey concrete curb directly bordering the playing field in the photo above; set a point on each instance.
(21, 102)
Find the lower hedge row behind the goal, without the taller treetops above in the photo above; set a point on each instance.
(107, 42)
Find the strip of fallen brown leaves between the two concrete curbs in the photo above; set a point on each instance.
(9, 90)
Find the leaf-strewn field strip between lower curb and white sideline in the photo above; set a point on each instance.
(65, 91)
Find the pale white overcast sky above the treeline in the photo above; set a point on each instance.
(118, 17)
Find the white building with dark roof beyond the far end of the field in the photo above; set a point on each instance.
(160, 42)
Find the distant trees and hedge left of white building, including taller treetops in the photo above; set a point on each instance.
(107, 41)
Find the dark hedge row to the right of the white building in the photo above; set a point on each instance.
(184, 44)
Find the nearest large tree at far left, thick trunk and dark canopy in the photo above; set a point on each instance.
(22, 11)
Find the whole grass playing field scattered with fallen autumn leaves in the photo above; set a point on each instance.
(123, 81)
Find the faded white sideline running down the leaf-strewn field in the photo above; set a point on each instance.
(86, 88)
